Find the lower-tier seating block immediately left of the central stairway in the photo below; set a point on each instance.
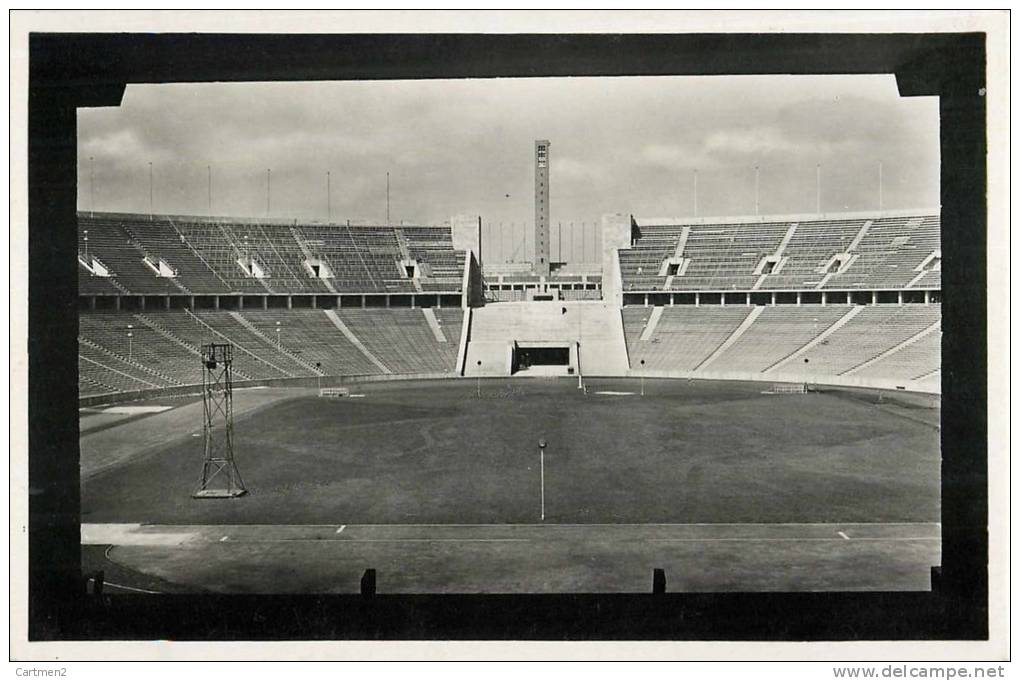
(401, 340)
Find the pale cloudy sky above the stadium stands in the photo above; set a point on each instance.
(619, 145)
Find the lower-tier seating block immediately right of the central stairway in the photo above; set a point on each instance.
(685, 337)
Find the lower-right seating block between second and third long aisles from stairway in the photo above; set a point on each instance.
(873, 332)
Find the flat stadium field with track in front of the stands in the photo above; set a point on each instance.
(439, 490)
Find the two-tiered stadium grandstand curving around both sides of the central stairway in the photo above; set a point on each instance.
(845, 300)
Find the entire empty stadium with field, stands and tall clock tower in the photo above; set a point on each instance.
(730, 404)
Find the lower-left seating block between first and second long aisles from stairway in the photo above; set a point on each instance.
(311, 336)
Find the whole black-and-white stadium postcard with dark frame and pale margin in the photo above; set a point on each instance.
(526, 336)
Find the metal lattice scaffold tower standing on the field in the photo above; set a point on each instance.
(221, 479)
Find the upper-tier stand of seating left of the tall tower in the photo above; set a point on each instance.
(210, 257)
